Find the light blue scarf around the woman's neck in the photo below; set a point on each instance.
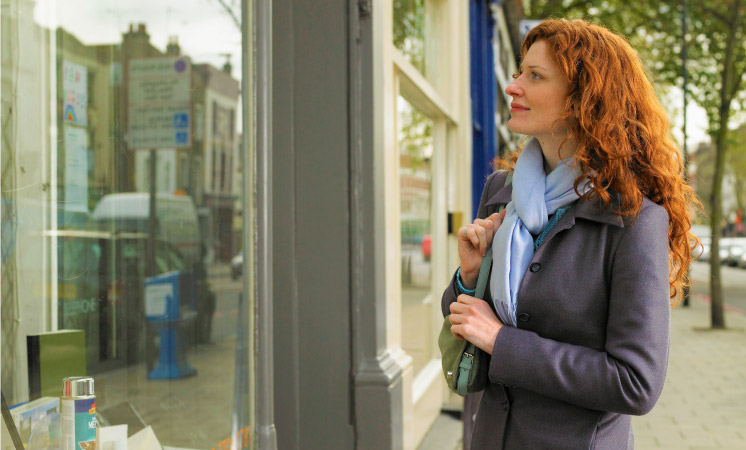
(536, 196)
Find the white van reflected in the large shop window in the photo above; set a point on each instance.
(176, 219)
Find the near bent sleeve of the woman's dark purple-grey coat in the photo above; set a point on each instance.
(627, 376)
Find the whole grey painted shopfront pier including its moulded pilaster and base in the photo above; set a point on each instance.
(336, 385)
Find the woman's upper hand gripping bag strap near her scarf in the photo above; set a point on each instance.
(473, 242)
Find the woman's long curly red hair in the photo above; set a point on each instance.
(622, 132)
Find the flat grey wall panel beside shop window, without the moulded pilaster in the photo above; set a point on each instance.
(312, 345)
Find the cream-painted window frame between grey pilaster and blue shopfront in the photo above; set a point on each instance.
(444, 97)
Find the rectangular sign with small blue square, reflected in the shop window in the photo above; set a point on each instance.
(159, 103)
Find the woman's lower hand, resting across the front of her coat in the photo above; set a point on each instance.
(473, 319)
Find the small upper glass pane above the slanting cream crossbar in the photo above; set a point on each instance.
(409, 31)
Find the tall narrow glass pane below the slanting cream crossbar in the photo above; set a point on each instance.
(415, 133)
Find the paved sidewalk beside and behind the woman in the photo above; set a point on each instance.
(703, 405)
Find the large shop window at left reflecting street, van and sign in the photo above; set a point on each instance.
(122, 213)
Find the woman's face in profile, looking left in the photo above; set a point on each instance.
(539, 93)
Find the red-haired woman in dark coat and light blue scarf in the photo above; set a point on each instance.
(592, 245)
